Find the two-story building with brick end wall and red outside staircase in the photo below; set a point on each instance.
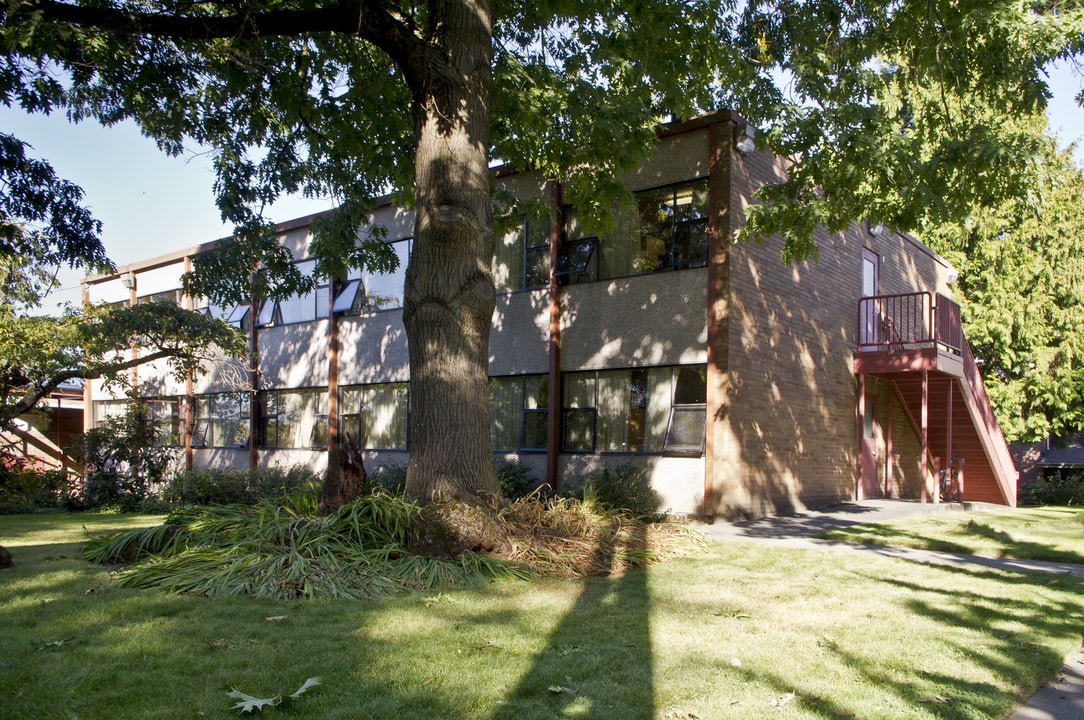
(745, 387)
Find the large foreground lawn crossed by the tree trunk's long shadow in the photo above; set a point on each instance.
(744, 632)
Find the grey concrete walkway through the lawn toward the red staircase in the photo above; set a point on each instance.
(1062, 700)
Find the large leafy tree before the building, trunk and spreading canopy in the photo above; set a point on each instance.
(349, 99)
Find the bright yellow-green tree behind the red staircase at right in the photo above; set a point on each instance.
(1022, 287)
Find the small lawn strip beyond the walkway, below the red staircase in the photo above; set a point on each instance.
(1051, 534)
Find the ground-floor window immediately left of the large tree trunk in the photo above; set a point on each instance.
(376, 417)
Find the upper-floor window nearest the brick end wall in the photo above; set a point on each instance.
(664, 229)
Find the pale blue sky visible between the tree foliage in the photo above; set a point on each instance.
(151, 204)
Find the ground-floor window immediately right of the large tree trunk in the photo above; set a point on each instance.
(520, 413)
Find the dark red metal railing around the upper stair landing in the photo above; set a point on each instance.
(913, 320)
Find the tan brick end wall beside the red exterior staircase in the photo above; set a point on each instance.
(788, 433)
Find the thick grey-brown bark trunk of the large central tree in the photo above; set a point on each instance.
(449, 295)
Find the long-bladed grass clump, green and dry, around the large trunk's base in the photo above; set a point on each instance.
(286, 550)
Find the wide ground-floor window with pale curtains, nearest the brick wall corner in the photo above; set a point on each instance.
(636, 410)
